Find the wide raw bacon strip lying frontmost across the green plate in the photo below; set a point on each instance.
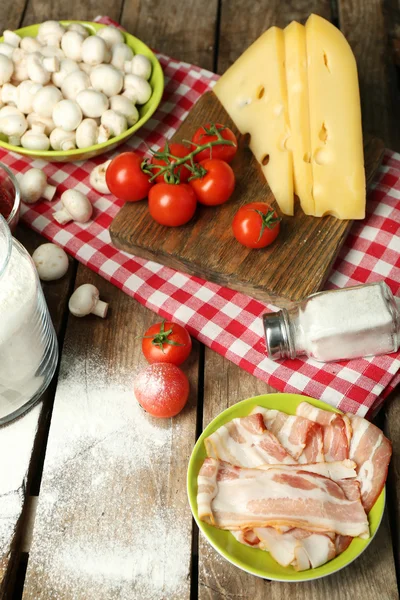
(250, 498)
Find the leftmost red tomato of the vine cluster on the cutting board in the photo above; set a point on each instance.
(125, 178)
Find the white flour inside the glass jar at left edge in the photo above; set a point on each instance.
(21, 347)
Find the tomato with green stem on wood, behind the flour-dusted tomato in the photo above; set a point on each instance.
(166, 342)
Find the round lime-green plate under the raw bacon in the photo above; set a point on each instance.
(254, 561)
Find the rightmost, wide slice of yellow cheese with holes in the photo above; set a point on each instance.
(335, 123)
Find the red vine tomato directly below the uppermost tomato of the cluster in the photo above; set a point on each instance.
(217, 185)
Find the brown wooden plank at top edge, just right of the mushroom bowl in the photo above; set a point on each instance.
(183, 30)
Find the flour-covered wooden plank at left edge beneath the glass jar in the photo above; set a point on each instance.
(18, 440)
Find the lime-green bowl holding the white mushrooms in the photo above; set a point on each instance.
(145, 111)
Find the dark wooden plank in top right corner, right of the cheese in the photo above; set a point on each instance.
(363, 24)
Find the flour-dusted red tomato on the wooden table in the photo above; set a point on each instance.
(162, 390)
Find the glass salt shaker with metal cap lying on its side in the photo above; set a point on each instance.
(335, 325)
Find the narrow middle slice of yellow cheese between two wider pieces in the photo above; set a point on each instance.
(297, 87)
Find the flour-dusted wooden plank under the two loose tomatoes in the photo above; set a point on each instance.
(112, 513)
